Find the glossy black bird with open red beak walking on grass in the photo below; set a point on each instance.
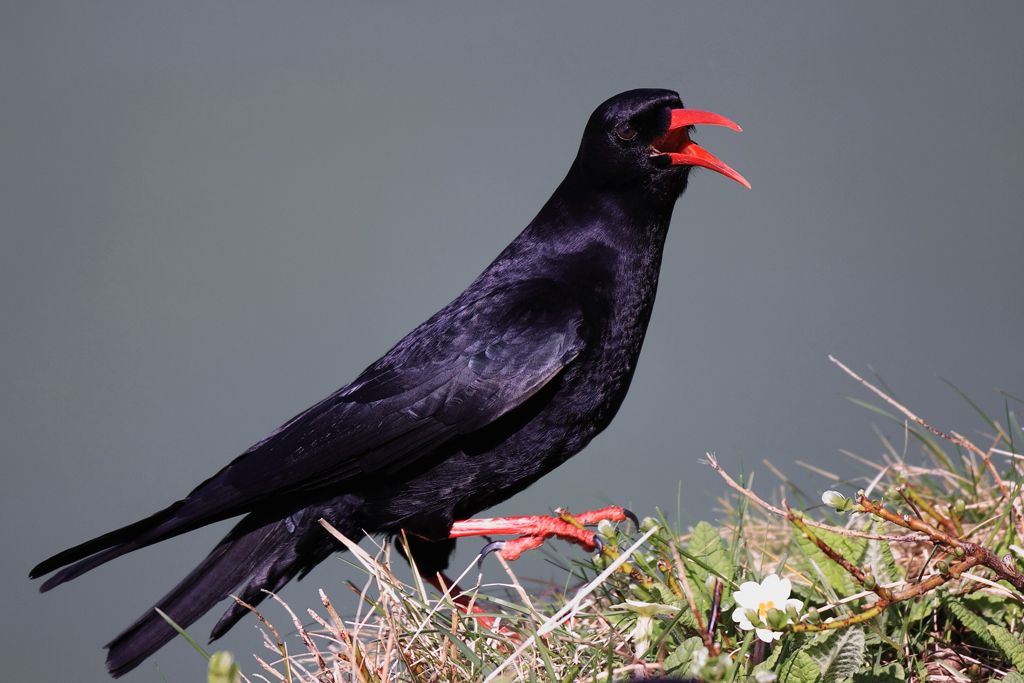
(498, 389)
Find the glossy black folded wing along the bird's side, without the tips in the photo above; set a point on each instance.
(458, 372)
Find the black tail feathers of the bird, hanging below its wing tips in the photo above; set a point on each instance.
(249, 560)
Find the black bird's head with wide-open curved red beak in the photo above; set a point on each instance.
(642, 139)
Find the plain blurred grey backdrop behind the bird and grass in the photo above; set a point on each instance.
(214, 215)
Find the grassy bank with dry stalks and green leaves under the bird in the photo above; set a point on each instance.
(916, 577)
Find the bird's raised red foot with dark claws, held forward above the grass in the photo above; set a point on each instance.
(535, 530)
